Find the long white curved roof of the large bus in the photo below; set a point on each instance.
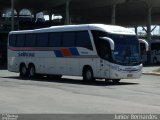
(102, 27)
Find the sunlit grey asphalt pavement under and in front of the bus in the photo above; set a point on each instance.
(70, 95)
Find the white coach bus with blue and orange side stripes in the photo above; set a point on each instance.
(92, 51)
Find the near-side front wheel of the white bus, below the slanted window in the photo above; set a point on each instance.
(88, 74)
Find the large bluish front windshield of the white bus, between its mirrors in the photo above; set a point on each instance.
(126, 49)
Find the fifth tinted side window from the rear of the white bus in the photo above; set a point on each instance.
(55, 39)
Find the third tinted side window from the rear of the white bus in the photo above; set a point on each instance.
(30, 40)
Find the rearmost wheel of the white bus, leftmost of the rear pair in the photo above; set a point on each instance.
(23, 71)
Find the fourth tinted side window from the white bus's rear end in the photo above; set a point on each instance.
(42, 40)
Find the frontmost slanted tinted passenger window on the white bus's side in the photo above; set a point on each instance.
(83, 40)
